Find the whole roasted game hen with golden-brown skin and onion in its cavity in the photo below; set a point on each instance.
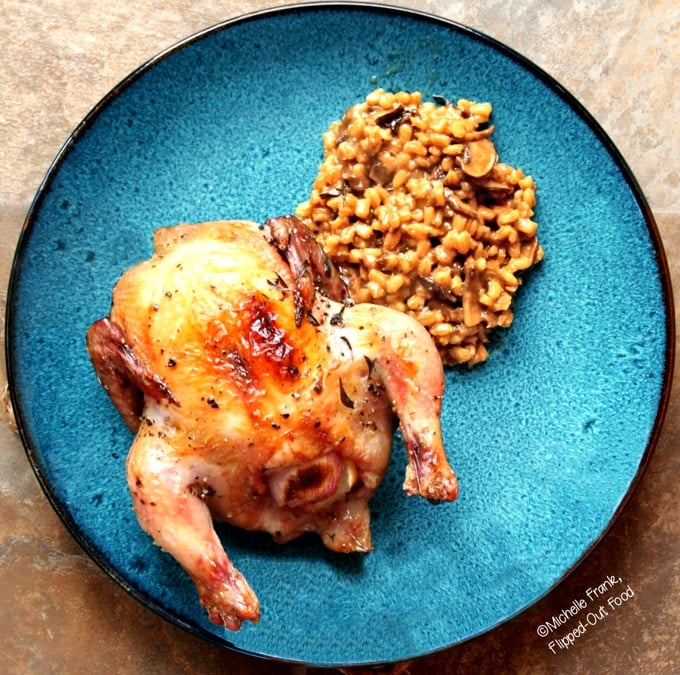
(259, 395)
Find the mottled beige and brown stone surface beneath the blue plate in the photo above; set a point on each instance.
(59, 612)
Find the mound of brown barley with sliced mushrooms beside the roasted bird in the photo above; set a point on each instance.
(413, 205)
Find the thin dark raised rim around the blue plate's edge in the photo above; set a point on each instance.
(90, 118)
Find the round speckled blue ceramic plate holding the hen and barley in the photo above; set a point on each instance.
(548, 436)
